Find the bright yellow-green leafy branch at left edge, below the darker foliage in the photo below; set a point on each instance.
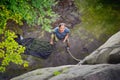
(10, 51)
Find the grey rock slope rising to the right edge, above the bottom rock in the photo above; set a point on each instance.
(109, 52)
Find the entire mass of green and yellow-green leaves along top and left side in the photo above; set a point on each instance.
(34, 12)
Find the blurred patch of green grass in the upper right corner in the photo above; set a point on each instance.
(99, 16)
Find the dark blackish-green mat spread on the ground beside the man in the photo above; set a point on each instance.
(37, 47)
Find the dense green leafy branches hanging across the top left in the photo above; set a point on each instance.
(34, 12)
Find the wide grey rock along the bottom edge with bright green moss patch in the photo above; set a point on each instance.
(74, 72)
